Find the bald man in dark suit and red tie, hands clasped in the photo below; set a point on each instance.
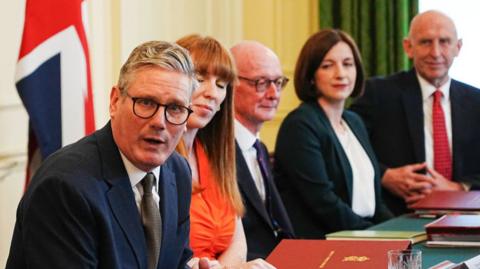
(422, 124)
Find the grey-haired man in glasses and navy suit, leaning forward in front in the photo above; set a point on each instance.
(97, 203)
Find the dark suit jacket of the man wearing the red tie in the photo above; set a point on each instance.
(392, 109)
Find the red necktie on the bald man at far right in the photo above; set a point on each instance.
(442, 160)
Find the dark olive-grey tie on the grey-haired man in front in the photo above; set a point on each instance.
(152, 221)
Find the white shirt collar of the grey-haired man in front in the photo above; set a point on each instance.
(136, 175)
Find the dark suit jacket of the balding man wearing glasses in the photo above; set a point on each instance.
(256, 222)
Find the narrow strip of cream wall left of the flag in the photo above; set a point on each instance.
(13, 119)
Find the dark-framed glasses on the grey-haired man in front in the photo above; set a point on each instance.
(174, 113)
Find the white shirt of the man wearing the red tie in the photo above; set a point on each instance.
(427, 97)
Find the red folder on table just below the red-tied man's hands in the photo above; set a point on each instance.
(450, 201)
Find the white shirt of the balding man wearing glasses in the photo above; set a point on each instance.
(245, 140)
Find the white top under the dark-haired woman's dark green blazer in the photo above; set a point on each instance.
(363, 192)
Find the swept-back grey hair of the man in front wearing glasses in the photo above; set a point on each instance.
(166, 55)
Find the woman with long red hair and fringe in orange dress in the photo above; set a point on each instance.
(216, 230)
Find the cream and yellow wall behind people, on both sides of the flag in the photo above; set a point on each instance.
(115, 27)
